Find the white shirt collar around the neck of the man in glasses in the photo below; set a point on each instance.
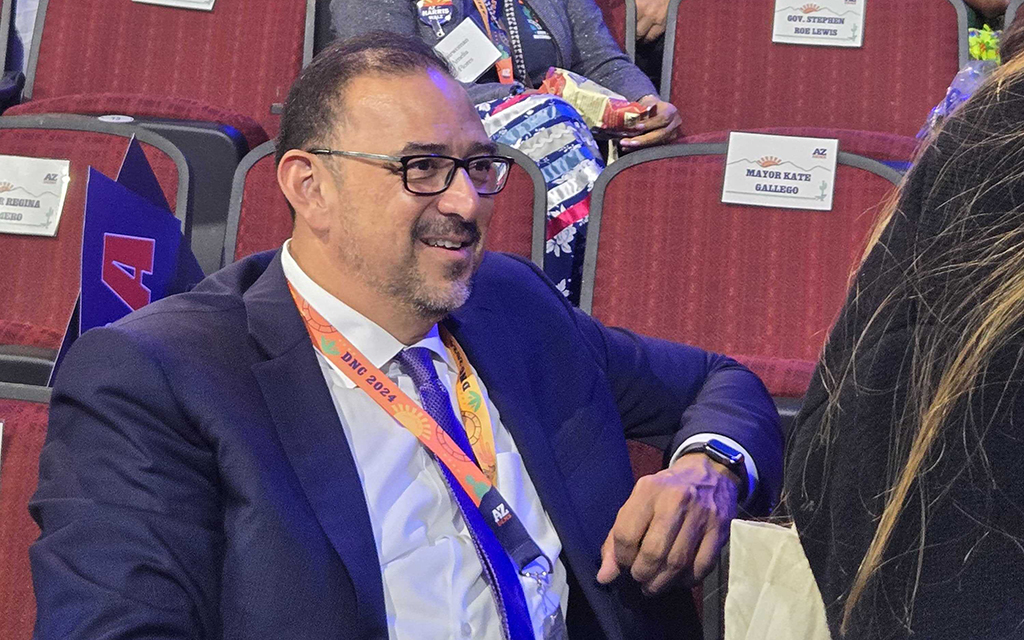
(376, 345)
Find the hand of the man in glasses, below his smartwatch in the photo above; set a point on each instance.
(673, 526)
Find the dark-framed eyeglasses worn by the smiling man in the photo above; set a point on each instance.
(430, 175)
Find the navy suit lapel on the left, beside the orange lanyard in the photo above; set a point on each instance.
(313, 438)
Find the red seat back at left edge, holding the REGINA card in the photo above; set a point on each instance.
(44, 274)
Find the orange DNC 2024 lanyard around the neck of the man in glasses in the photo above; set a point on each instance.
(475, 481)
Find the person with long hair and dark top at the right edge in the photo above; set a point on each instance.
(906, 473)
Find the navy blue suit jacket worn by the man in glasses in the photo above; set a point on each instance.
(196, 481)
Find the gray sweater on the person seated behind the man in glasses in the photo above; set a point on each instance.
(583, 42)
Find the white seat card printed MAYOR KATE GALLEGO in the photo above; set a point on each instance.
(783, 172)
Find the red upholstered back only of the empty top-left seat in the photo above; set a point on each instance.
(243, 56)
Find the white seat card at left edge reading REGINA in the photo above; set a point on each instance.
(32, 195)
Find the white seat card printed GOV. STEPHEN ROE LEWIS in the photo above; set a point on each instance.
(824, 23)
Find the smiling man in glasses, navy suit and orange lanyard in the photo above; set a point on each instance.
(212, 473)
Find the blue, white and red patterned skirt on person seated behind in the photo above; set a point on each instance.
(548, 131)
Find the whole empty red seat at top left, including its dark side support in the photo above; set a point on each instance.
(211, 82)
